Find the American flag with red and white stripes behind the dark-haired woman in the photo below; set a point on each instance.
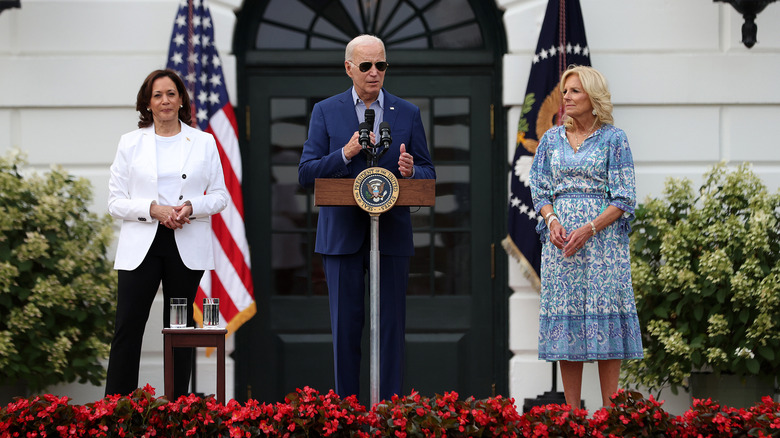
(194, 57)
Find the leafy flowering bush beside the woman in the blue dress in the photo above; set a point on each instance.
(706, 274)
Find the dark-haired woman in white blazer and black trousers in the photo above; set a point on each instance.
(166, 182)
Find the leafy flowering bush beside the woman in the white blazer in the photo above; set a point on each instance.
(56, 283)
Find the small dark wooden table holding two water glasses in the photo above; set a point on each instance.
(194, 337)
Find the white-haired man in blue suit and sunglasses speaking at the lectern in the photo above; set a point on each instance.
(333, 151)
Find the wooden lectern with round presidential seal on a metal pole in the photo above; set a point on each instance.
(344, 192)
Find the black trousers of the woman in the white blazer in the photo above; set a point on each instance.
(136, 292)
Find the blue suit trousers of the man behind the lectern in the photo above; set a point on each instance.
(347, 291)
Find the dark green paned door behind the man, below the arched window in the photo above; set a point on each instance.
(451, 333)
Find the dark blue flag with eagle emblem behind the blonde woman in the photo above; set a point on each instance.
(561, 42)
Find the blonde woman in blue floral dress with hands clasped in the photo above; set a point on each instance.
(582, 183)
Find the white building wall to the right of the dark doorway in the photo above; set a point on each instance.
(687, 93)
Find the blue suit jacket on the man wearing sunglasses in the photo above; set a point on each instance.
(342, 230)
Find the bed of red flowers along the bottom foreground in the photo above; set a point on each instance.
(307, 413)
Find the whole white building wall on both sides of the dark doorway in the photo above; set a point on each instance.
(687, 93)
